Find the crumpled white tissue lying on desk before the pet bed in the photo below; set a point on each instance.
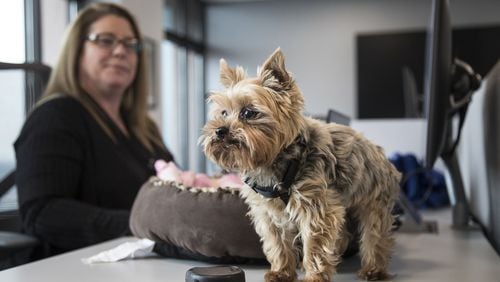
(137, 249)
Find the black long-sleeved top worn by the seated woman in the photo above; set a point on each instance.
(76, 185)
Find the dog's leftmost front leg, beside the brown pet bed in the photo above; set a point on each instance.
(277, 237)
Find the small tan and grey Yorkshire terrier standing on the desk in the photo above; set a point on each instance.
(303, 177)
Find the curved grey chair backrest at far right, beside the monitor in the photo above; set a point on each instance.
(479, 155)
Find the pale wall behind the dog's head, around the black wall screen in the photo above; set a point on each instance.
(318, 38)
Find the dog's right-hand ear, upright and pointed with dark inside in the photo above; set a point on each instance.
(273, 72)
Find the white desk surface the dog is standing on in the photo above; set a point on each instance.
(450, 255)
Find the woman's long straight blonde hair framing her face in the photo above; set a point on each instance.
(64, 78)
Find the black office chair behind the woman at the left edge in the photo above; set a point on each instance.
(16, 247)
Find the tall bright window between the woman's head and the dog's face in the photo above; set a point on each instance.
(183, 102)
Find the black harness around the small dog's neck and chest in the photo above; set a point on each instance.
(281, 189)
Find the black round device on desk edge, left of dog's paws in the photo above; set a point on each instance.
(215, 274)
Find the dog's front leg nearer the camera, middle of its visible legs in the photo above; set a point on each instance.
(320, 217)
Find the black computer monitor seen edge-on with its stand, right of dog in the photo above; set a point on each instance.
(449, 85)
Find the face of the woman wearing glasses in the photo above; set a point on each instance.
(107, 68)
